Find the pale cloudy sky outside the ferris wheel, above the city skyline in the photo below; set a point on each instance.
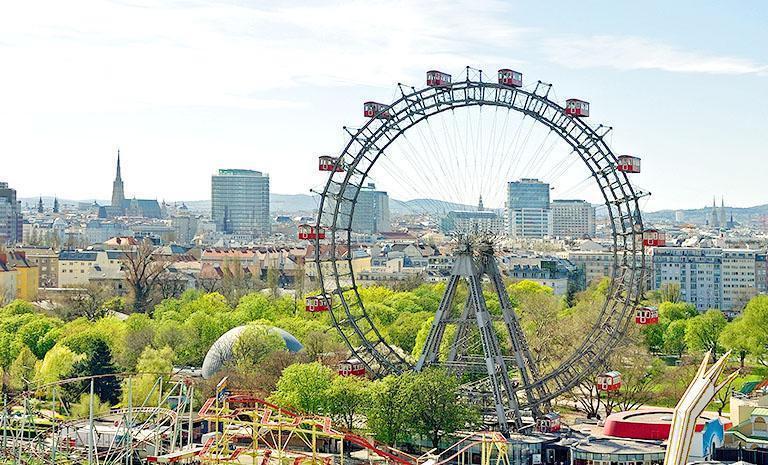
(183, 88)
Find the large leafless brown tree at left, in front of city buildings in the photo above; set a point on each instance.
(143, 271)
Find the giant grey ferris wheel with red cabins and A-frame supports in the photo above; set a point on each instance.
(511, 389)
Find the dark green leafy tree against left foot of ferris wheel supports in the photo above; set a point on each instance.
(437, 408)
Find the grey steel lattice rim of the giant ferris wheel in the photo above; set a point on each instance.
(620, 198)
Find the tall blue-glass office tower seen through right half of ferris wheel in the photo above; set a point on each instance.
(528, 212)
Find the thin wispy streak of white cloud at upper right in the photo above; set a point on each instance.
(631, 53)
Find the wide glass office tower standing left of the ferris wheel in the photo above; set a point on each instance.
(240, 202)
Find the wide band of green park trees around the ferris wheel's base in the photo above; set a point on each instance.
(39, 347)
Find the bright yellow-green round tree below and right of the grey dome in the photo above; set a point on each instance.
(304, 387)
